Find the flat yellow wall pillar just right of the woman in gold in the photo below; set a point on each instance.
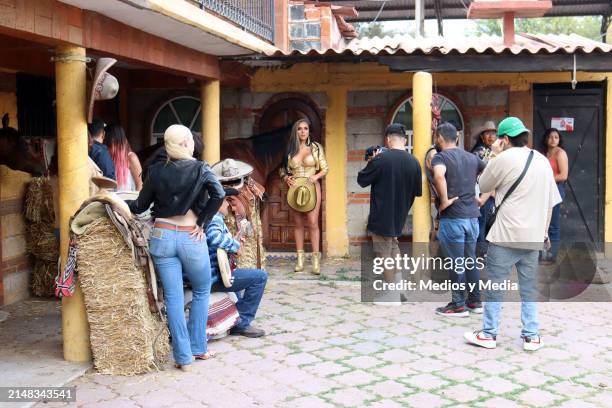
(335, 181)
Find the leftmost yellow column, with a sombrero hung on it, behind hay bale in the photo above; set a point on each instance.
(73, 182)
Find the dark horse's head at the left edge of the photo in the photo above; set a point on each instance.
(15, 152)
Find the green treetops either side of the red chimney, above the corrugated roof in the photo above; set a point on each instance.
(587, 26)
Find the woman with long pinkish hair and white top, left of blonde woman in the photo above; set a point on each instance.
(127, 166)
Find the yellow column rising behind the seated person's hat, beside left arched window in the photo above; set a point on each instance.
(211, 121)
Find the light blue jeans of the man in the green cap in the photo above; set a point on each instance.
(499, 264)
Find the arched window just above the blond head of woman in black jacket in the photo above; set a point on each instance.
(183, 110)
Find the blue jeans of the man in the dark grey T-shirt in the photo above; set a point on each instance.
(458, 238)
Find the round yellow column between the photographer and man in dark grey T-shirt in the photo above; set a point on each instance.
(421, 141)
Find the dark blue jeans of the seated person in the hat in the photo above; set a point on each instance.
(253, 281)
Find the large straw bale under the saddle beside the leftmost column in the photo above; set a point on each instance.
(126, 339)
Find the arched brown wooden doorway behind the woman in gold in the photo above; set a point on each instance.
(276, 218)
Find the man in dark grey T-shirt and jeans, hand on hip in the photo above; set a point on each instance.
(455, 175)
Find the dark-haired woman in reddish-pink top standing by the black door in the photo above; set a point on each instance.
(552, 147)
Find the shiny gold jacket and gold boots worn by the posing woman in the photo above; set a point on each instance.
(311, 165)
